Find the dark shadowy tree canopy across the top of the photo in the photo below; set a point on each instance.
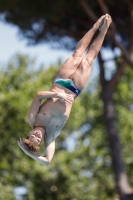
(51, 20)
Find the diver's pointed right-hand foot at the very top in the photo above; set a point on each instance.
(105, 24)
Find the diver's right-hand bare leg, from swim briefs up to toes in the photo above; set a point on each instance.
(82, 73)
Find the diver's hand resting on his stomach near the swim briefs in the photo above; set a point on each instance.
(65, 98)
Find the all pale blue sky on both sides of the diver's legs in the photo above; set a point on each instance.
(11, 42)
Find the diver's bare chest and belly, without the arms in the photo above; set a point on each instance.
(53, 114)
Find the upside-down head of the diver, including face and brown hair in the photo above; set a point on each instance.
(34, 138)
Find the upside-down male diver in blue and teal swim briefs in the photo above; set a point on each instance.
(48, 119)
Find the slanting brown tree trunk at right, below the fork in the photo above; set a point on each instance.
(122, 186)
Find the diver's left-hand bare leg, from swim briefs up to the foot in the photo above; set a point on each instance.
(72, 63)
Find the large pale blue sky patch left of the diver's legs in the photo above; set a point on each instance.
(11, 43)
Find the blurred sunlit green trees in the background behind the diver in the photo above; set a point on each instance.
(82, 174)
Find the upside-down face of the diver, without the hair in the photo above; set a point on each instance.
(36, 135)
